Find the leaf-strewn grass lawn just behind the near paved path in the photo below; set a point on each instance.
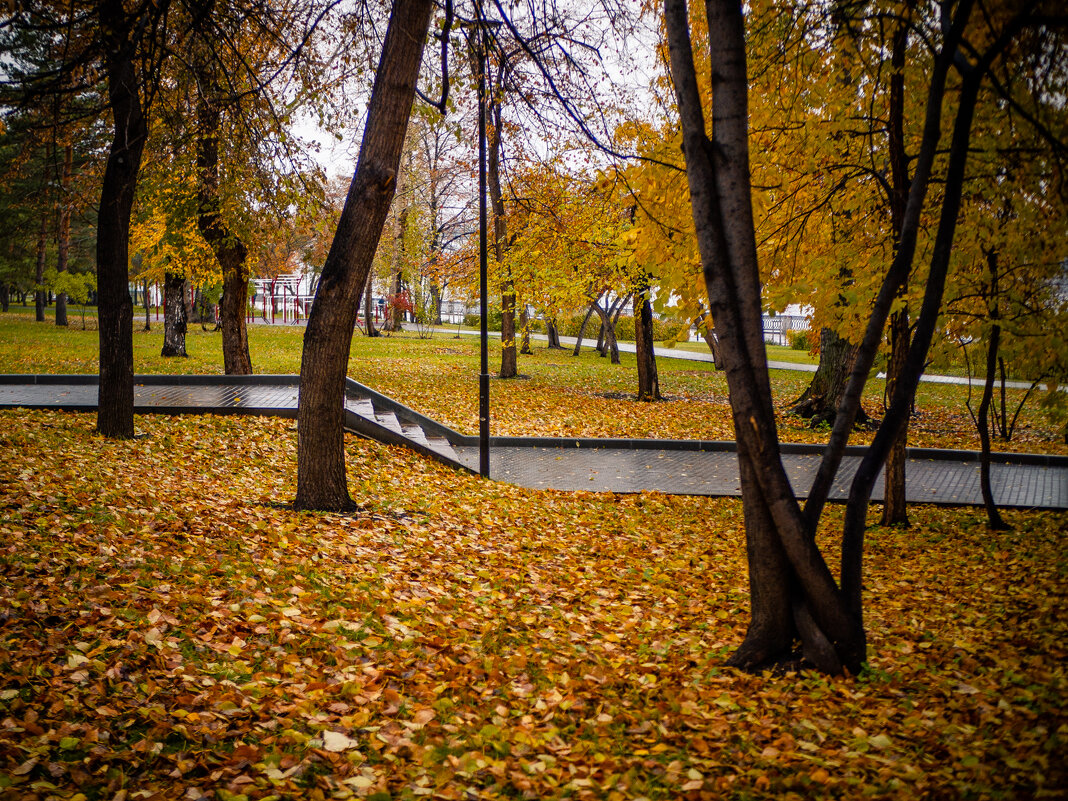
(561, 396)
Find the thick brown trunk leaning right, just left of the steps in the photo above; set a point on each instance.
(322, 481)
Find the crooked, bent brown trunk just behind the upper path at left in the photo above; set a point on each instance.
(228, 248)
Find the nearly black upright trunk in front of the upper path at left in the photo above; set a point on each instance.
(115, 417)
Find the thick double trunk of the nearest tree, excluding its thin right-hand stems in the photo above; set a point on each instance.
(799, 592)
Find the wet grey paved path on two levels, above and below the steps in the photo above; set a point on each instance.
(617, 466)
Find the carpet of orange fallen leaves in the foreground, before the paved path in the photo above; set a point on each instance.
(170, 629)
